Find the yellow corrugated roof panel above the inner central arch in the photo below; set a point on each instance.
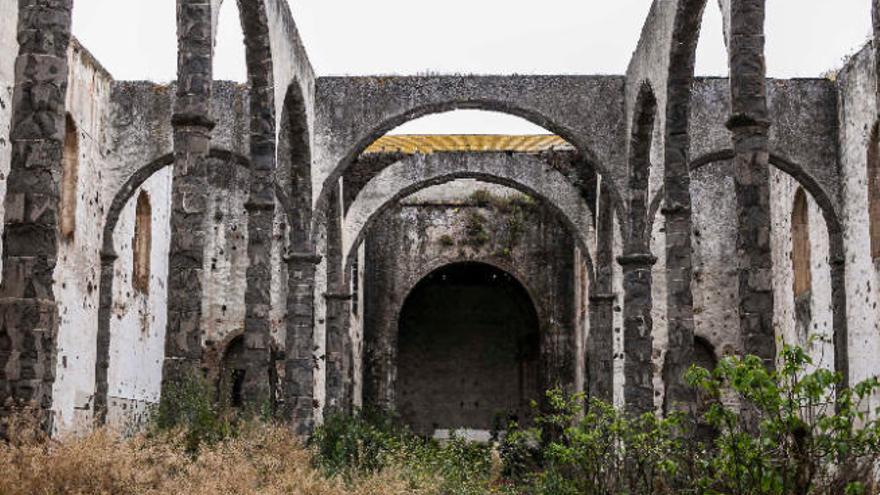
(434, 143)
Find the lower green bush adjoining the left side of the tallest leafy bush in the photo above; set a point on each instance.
(599, 450)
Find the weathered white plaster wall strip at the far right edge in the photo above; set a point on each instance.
(857, 107)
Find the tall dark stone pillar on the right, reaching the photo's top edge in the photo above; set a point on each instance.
(749, 125)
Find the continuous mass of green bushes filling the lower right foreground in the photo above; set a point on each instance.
(792, 431)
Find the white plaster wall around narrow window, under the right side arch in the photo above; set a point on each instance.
(782, 191)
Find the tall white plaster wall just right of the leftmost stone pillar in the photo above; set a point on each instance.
(78, 266)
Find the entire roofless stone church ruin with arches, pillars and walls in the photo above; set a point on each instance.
(272, 238)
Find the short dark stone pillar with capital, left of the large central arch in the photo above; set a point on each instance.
(299, 397)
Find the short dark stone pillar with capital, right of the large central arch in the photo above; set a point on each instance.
(637, 326)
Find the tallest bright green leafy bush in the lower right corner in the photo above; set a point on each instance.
(792, 431)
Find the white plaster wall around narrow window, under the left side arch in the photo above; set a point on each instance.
(138, 320)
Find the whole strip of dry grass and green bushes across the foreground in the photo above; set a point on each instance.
(791, 431)
